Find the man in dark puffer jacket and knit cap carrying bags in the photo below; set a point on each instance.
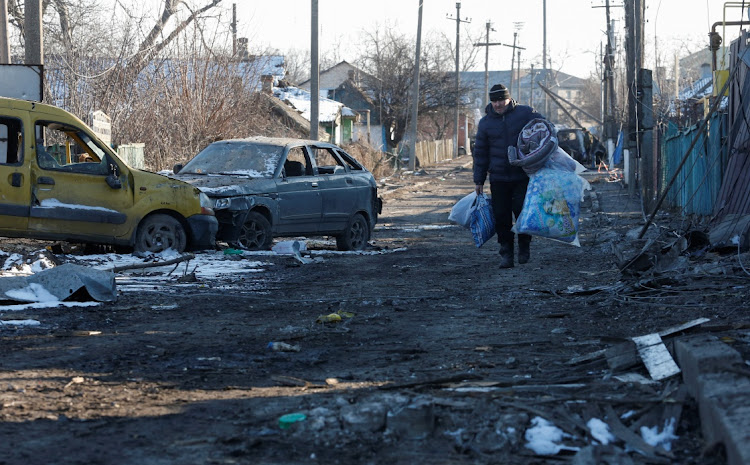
(497, 130)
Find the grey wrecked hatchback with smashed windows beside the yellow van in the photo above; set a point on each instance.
(265, 187)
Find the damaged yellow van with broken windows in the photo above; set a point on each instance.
(58, 181)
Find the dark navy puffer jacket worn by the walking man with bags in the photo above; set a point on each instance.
(495, 133)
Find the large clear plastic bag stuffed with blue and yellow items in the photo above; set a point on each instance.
(552, 205)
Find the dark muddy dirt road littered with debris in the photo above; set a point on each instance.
(439, 356)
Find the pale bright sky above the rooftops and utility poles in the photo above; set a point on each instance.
(575, 28)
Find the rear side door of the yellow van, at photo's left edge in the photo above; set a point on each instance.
(15, 184)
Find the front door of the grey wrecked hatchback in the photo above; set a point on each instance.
(299, 201)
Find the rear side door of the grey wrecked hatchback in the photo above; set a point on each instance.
(339, 190)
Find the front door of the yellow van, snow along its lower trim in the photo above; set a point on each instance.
(70, 195)
